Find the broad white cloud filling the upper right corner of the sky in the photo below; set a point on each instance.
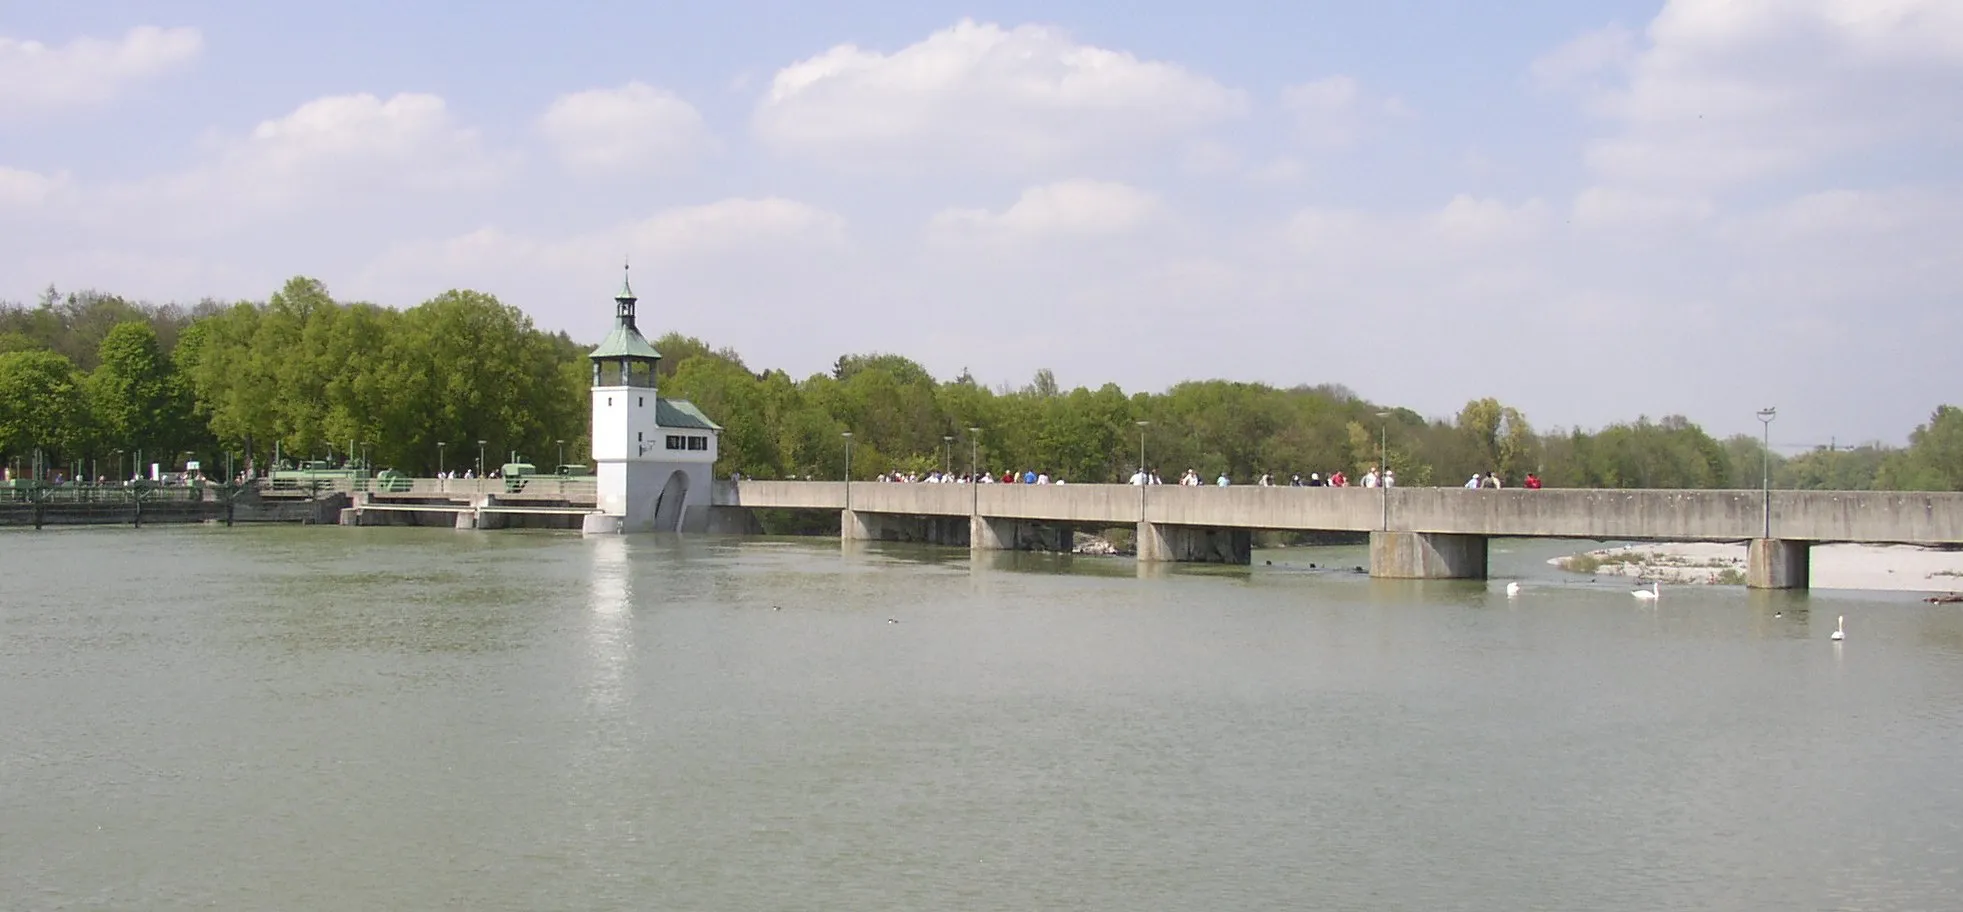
(1730, 93)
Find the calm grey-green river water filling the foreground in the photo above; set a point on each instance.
(323, 719)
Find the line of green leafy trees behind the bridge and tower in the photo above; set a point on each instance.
(89, 381)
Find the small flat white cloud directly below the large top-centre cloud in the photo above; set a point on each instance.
(1067, 209)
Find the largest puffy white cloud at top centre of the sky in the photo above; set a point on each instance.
(984, 97)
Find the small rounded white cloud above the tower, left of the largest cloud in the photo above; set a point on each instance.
(629, 128)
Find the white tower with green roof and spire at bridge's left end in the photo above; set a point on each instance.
(655, 456)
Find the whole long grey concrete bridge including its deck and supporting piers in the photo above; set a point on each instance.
(1414, 532)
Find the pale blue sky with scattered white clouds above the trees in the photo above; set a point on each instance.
(1591, 211)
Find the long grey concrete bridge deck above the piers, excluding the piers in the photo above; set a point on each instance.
(1927, 519)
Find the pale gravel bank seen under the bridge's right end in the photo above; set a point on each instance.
(1893, 568)
